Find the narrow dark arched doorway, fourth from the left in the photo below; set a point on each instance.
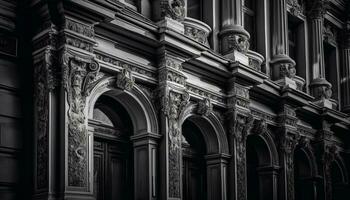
(304, 183)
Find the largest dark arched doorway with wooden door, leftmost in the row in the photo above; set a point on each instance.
(113, 151)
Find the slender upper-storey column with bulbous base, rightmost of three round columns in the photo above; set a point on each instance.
(320, 87)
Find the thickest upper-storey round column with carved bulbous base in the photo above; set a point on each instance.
(234, 38)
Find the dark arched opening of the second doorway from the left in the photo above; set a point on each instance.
(193, 163)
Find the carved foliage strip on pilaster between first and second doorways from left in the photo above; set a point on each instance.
(173, 103)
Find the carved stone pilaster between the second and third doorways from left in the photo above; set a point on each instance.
(240, 122)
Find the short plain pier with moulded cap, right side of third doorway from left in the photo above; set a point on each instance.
(268, 182)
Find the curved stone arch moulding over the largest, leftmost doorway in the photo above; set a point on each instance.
(137, 104)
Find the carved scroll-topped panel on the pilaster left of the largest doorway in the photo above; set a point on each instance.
(78, 75)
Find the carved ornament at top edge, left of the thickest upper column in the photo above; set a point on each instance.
(174, 9)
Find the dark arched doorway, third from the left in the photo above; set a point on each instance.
(261, 169)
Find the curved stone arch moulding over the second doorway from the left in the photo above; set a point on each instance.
(212, 130)
